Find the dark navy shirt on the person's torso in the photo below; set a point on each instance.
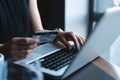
(14, 19)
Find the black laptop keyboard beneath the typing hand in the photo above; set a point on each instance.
(58, 59)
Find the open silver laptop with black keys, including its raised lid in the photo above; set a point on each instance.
(105, 33)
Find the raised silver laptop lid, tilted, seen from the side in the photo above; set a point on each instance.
(100, 40)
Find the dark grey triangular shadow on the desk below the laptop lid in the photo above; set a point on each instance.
(90, 72)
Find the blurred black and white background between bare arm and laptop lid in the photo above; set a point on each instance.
(72, 15)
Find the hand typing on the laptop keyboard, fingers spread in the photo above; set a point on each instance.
(64, 37)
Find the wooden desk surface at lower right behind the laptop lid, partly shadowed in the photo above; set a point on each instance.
(99, 69)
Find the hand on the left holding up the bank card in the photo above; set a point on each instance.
(19, 47)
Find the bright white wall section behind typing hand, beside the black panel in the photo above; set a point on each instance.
(76, 16)
